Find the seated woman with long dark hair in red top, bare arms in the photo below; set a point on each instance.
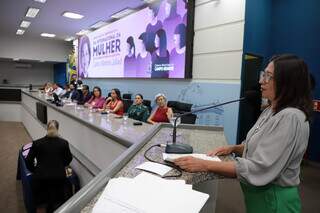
(114, 103)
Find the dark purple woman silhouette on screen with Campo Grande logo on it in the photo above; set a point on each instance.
(160, 57)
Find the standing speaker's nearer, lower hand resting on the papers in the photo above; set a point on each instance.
(191, 164)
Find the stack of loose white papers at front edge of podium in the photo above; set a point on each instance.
(148, 193)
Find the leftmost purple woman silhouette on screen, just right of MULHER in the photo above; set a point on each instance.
(130, 63)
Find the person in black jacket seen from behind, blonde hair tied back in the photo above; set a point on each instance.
(52, 155)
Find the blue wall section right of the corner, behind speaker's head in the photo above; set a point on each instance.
(296, 29)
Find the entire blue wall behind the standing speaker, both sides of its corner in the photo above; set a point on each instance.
(288, 26)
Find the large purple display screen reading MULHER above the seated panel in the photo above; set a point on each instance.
(155, 42)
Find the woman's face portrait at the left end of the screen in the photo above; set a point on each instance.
(84, 56)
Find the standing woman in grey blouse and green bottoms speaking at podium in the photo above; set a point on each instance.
(269, 167)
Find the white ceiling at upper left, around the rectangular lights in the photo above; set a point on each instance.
(49, 19)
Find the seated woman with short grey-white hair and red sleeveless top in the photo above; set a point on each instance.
(162, 113)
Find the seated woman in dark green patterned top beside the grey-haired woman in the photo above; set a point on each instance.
(138, 111)
